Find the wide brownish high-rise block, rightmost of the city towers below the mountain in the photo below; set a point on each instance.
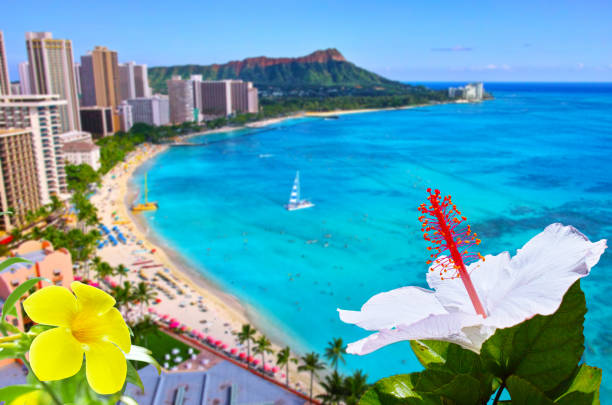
(228, 97)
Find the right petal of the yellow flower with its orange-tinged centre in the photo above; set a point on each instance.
(108, 327)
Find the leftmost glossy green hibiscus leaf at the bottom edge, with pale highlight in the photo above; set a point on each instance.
(396, 390)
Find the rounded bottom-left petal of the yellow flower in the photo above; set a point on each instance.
(55, 354)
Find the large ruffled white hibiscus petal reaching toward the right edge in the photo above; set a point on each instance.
(541, 273)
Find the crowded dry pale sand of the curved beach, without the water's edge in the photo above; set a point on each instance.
(184, 293)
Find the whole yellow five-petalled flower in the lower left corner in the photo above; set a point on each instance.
(87, 324)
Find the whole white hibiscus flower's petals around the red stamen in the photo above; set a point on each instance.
(511, 290)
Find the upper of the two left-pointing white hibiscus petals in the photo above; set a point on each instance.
(404, 305)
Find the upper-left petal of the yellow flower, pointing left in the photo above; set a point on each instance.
(51, 305)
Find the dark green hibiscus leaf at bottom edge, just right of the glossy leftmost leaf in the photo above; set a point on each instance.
(462, 389)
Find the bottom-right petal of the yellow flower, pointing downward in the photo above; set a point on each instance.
(106, 368)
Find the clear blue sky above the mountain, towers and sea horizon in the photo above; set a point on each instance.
(405, 40)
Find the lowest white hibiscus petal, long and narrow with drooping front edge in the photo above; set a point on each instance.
(447, 327)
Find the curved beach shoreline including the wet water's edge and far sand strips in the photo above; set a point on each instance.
(225, 313)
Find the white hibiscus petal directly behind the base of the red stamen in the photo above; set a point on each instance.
(485, 276)
